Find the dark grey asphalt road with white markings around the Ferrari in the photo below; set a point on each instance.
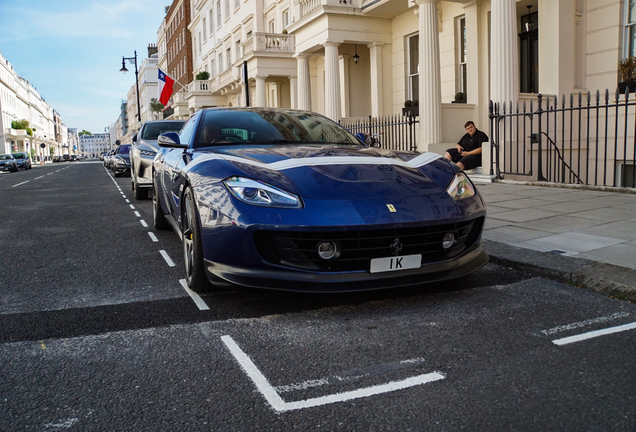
(97, 333)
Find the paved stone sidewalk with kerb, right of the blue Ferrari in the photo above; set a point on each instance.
(583, 237)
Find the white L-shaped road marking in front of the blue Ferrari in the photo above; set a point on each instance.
(280, 405)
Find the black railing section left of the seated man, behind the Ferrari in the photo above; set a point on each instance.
(395, 132)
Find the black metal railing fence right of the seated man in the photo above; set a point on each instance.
(584, 140)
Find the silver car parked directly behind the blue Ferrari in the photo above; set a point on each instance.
(143, 152)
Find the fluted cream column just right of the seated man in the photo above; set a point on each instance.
(504, 60)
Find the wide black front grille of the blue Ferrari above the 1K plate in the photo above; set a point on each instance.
(298, 249)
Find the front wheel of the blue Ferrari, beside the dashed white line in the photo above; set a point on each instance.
(196, 278)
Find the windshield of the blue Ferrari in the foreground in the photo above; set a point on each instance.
(223, 127)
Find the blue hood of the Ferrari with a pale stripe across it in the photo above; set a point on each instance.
(328, 172)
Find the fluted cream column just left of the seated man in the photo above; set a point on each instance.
(430, 94)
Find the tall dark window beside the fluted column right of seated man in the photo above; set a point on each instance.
(529, 53)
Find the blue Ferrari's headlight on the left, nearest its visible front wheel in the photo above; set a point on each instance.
(261, 194)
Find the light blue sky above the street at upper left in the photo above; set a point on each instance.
(71, 51)
